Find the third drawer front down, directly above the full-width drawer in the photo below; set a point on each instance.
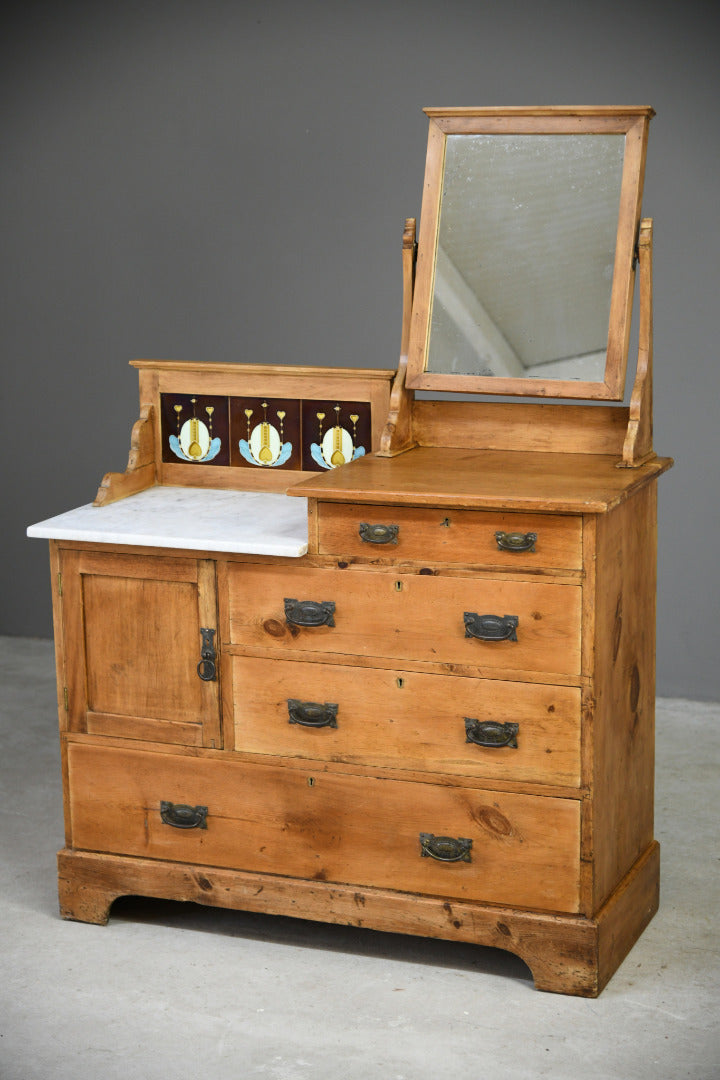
(401, 720)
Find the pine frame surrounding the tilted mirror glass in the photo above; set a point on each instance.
(633, 123)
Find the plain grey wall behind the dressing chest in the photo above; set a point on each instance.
(224, 181)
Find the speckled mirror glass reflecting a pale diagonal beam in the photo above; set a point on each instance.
(525, 256)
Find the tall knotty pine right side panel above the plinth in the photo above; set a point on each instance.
(624, 688)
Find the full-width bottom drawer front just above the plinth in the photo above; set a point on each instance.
(524, 852)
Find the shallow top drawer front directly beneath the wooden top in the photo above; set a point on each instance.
(528, 542)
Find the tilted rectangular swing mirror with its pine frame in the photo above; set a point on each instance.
(525, 266)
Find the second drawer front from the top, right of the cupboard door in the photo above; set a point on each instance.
(407, 617)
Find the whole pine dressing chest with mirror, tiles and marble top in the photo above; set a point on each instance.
(334, 650)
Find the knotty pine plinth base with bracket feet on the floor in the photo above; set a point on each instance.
(566, 954)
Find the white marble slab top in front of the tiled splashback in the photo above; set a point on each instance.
(252, 523)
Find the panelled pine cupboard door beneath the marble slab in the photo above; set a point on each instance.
(134, 642)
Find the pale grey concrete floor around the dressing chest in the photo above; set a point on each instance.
(174, 992)
